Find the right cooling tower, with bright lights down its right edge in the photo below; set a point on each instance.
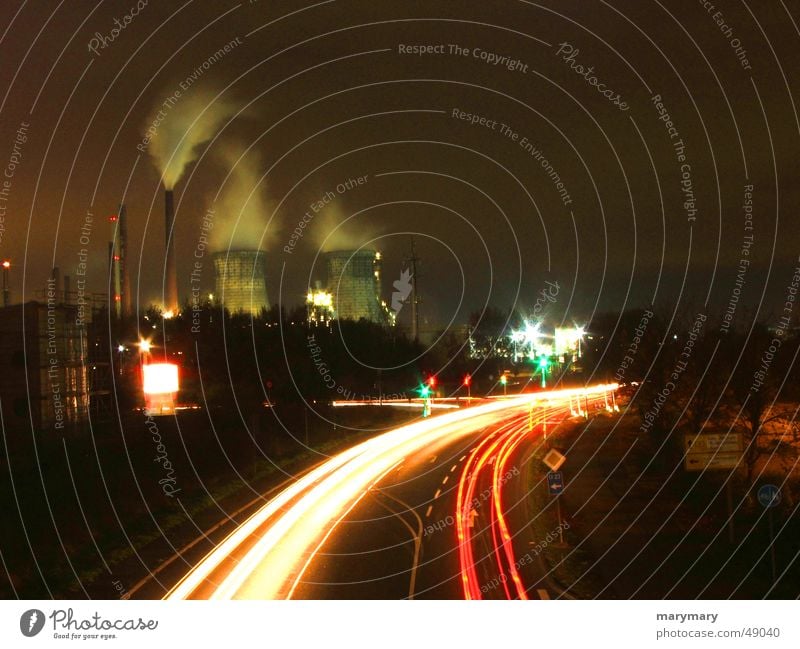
(354, 279)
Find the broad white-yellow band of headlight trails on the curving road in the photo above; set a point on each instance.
(266, 556)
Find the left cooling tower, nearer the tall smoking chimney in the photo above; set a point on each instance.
(241, 281)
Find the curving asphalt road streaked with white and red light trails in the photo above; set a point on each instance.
(435, 509)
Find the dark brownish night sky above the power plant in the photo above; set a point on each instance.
(321, 93)
